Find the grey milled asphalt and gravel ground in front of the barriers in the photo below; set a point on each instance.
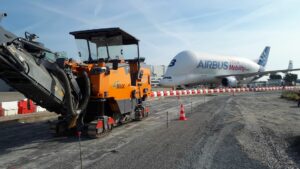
(253, 130)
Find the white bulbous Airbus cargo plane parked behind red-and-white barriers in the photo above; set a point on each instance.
(188, 68)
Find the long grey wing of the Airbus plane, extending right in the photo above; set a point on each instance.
(259, 74)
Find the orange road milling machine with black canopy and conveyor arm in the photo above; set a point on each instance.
(105, 89)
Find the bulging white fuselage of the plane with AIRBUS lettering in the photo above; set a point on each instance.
(189, 68)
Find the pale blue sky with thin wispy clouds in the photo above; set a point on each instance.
(239, 28)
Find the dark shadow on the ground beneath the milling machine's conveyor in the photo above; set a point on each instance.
(18, 136)
